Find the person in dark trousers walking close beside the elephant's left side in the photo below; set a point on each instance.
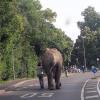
(40, 75)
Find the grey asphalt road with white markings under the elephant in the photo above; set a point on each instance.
(78, 86)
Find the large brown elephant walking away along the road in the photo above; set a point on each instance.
(52, 62)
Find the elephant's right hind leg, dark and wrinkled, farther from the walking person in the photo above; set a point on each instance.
(57, 77)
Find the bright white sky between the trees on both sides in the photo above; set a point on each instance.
(69, 13)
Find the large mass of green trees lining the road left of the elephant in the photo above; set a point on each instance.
(25, 31)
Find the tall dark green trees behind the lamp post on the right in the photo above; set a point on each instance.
(90, 29)
